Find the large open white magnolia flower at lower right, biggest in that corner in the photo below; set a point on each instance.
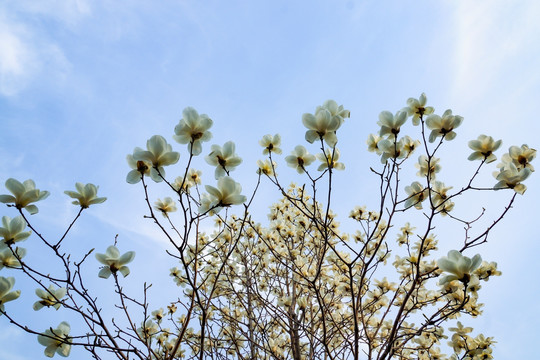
(460, 267)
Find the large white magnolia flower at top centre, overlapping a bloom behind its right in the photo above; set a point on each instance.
(322, 125)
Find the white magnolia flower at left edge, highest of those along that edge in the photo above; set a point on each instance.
(23, 195)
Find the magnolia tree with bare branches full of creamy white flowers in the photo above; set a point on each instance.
(295, 286)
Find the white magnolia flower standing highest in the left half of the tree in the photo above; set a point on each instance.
(193, 130)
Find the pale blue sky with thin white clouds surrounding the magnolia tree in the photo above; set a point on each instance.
(83, 82)
